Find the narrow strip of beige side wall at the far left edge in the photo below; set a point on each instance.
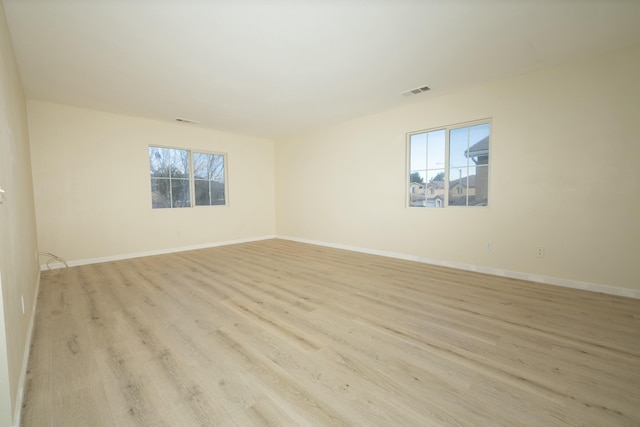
(18, 265)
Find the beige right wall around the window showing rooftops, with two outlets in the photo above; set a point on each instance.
(564, 176)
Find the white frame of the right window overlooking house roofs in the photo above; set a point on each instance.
(448, 128)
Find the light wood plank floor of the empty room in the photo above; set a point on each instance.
(282, 333)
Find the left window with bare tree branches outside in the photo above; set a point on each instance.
(182, 178)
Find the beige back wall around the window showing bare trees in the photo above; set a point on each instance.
(92, 187)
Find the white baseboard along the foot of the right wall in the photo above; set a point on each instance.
(549, 280)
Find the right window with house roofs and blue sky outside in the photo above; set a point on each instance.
(449, 166)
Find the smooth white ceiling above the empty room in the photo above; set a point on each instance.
(275, 67)
